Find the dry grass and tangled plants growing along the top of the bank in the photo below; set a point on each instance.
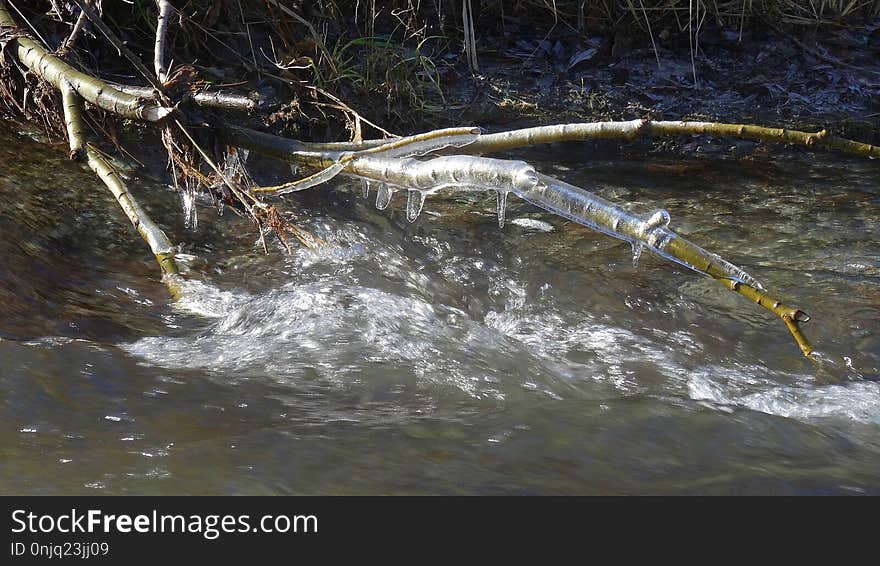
(413, 61)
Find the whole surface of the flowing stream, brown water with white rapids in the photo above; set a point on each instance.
(445, 356)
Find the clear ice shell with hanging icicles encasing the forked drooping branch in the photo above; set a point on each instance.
(394, 166)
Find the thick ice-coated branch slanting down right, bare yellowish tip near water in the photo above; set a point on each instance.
(463, 172)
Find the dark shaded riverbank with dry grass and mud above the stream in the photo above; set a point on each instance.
(323, 66)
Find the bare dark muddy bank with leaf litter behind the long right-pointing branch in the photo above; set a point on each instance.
(768, 75)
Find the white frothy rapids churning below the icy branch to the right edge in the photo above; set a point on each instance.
(357, 306)
